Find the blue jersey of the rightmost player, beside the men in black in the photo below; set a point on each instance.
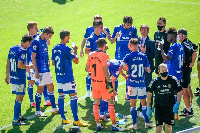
(176, 51)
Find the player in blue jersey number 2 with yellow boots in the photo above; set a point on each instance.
(62, 57)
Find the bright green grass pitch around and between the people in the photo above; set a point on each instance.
(76, 16)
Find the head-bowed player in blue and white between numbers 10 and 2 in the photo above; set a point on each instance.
(43, 76)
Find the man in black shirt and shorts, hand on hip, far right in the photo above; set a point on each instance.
(190, 57)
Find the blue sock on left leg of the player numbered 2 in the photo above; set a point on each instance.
(61, 106)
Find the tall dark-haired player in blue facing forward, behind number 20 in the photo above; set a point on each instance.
(121, 35)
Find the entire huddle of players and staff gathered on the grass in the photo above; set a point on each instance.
(134, 60)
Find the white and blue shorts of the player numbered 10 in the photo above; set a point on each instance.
(18, 89)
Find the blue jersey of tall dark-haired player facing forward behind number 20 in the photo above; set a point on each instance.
(122, 42)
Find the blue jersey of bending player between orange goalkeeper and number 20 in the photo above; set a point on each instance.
(114, 68)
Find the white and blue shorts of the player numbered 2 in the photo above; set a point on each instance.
(67, 88)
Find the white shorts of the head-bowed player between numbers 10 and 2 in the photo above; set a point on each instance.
(45, 79)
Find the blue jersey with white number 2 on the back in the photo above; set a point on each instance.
(62, 55)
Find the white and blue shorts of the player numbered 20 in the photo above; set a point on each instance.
(137, 92)
